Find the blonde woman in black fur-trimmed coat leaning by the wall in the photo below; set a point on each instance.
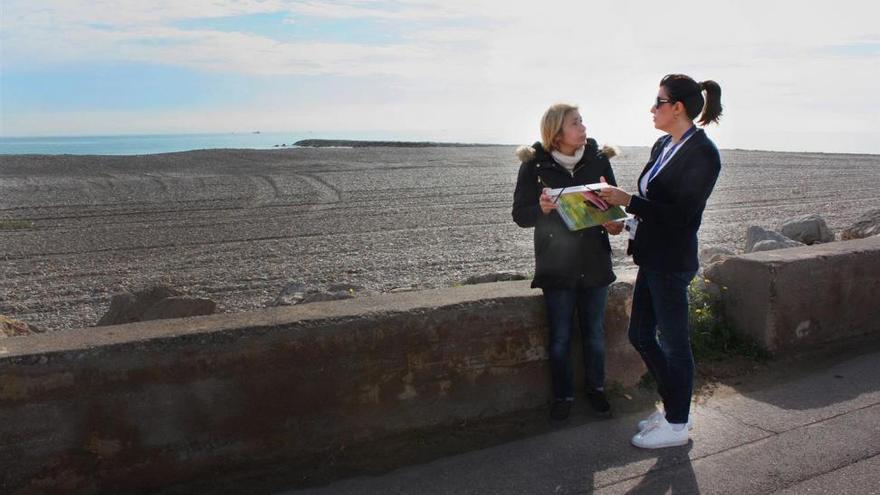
(572, 267)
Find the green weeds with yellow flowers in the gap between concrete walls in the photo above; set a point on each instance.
(712, 337)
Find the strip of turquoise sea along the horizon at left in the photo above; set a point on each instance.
(148, 144)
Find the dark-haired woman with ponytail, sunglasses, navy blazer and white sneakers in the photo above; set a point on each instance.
(668, 208)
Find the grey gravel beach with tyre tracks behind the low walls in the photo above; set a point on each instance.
(238, 226)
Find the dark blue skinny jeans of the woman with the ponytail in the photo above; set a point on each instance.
(658, 329)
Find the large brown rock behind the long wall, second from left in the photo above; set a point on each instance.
(154, 303)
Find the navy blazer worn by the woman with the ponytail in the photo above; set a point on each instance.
(671, 212)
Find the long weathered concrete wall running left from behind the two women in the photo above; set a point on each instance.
(142, 405)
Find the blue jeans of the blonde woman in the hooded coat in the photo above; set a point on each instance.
(590, 305)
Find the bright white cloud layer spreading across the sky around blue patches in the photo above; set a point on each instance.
(491, 66)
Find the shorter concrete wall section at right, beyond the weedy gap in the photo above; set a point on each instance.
(797, 297)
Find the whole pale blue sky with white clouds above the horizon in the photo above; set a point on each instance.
(795, 76)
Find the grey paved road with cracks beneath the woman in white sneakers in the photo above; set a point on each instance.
(803, 432)
